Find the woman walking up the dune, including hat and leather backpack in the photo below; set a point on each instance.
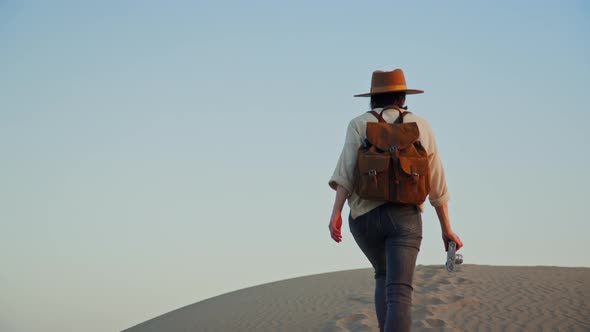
(387, 168)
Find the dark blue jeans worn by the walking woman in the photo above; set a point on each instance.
(390, 236)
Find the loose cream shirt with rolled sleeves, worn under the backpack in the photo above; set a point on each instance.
(356, 133)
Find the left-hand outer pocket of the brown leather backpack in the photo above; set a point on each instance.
(373, 177)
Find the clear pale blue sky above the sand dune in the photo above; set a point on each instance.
(155, 154)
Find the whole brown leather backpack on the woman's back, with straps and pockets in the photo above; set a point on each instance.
(392, 165)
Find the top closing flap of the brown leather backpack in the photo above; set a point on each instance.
(385, 135)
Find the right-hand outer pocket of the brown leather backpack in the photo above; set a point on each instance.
(414, 183)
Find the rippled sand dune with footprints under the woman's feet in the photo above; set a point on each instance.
(475, 298)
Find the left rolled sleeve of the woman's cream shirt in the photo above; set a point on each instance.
(344, 172)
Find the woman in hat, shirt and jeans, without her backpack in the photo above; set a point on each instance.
(389, 234)
